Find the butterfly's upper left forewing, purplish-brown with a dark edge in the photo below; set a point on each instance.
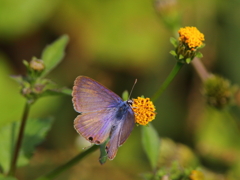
(90, 96)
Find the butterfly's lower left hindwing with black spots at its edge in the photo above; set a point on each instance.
(95, 126)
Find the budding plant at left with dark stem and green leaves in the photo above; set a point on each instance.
(19, 142)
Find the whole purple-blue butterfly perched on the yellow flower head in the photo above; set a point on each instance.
(103, 114)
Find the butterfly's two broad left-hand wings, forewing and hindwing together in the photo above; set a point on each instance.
(97, 106)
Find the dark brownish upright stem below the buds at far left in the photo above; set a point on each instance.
(19, 140)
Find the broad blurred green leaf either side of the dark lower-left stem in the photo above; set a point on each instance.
(35, 132)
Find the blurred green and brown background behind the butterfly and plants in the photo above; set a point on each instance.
(115, 42)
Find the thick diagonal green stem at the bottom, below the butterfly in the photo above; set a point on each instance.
(67, 165)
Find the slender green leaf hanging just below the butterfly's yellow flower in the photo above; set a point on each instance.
(151, 144)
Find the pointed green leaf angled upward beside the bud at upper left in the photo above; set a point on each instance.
(53, 54)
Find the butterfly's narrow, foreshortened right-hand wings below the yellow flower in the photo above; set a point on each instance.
(120, 133)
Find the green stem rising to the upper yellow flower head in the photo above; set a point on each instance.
(169, 79)
